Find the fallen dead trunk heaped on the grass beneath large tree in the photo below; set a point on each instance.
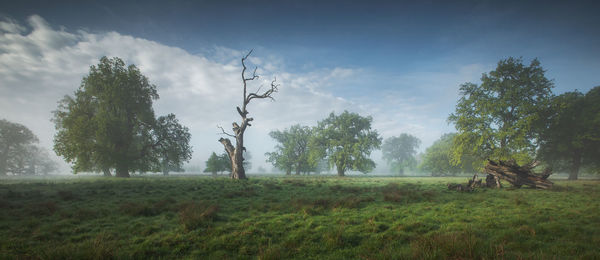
(518, 175)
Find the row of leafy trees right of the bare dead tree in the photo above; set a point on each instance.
(511, 115)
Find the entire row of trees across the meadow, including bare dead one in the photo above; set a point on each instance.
(108, 124)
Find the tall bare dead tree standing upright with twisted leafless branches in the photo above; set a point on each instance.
(236, 153)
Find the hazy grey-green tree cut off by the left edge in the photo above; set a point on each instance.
(15, 143)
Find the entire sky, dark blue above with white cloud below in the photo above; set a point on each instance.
(400, 62)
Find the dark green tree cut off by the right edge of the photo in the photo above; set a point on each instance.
(570, 140)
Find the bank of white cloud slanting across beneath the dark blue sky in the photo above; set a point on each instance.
(40, 64)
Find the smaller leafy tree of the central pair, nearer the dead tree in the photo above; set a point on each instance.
(291, 152)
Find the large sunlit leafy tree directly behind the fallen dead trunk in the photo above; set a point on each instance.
(499, 119)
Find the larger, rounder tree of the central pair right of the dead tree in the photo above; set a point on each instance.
(347, 141)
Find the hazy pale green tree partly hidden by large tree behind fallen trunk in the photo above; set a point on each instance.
(437, 158)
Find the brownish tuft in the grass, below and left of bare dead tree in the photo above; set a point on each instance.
(197, 214)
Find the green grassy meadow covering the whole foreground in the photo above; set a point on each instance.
(294, 217)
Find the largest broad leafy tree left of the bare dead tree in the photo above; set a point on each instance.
(110, 123)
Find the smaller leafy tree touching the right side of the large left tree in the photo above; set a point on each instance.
(174, 149)
